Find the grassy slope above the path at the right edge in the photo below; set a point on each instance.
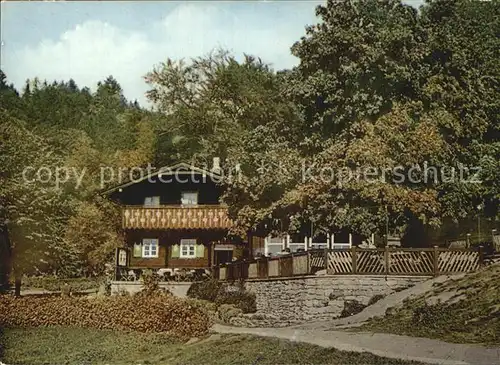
(466, 310)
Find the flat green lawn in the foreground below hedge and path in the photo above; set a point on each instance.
(65, 345)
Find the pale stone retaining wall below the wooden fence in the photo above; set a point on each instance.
(285, 301)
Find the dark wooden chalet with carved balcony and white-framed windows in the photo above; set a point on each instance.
(173, 218)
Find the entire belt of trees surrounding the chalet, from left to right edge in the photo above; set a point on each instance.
(379, 86)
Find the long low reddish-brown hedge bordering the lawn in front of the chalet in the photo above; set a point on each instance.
(156, 313)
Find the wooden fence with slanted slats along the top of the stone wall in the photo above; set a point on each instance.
(389, 261)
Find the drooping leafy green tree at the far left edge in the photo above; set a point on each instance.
(33, 212)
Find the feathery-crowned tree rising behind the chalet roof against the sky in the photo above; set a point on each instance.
(211, 104)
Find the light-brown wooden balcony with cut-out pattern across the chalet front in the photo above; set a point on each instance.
(176, 217)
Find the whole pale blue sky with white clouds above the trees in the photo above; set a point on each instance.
(88, 41)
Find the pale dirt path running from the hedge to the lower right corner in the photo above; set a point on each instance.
(387, 345)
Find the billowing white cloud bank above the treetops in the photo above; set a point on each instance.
(91, 51)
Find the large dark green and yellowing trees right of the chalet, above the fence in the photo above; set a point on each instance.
(381, 87)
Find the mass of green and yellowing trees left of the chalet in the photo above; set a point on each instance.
(66, 229)
